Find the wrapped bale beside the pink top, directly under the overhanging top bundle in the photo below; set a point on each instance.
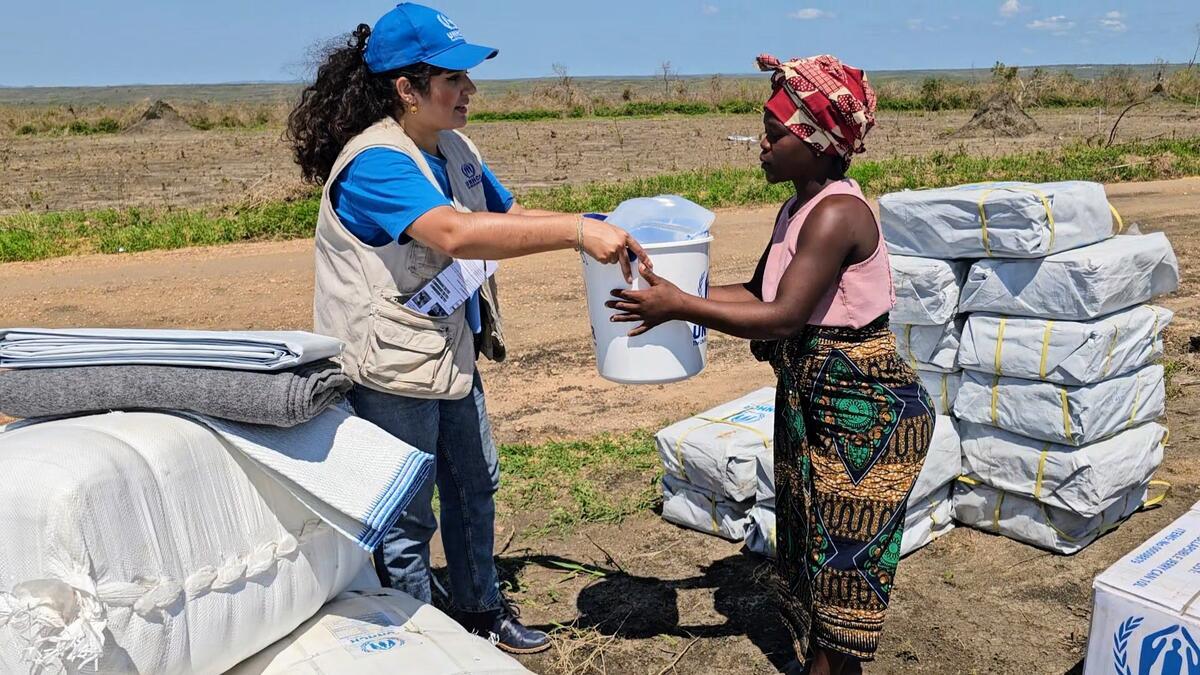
(927, 290)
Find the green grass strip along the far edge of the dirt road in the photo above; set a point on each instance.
(37, 236)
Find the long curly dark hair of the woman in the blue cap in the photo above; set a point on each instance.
(345, 99)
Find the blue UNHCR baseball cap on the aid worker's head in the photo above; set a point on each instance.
(416, 34)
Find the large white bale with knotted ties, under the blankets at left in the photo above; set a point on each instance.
(149, 546)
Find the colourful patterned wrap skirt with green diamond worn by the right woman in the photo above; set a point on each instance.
(853, 429)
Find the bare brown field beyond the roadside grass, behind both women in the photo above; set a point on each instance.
(232, 168)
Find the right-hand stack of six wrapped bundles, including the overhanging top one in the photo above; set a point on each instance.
(1060, 392)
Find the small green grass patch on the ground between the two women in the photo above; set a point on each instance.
(602, 480)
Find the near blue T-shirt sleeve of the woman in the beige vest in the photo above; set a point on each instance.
(381, 194)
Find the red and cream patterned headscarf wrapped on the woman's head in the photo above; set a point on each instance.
(823, 101)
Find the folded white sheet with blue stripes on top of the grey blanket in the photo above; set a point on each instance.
(271, 350)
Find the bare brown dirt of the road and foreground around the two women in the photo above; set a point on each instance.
(969, 604)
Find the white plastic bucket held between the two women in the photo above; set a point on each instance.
(670, 353)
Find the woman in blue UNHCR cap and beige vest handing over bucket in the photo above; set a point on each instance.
(405, 194)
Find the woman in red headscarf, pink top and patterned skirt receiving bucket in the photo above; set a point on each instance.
(853, 422)
